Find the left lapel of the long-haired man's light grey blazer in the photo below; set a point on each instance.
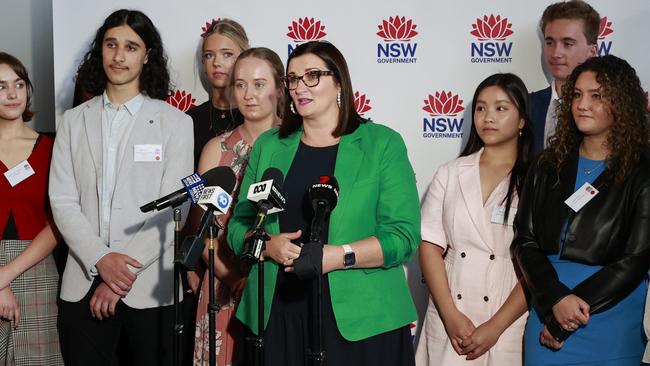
(92, 117)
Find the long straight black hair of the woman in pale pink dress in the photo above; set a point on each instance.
(516, 90)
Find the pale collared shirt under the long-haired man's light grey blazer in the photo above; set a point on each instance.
(117, 124)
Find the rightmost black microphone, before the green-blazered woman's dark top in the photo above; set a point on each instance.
(324, 196)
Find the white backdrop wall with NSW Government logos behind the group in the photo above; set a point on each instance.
(405, 57)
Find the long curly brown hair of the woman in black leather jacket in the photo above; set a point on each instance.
(629, 132)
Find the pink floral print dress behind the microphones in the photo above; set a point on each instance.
(234, 153)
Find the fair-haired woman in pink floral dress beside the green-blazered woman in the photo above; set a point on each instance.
(257, 89)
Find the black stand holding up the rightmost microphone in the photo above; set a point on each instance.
(317, 352)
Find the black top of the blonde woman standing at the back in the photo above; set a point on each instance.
(210, 122)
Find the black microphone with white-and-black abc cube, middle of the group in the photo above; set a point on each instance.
(269, 199)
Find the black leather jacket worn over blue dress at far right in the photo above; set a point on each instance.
(612, 230)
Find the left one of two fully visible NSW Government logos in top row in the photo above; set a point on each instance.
(397, 33)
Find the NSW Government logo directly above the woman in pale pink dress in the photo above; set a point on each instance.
(491, 34)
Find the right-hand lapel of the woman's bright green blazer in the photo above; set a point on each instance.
(348, 161)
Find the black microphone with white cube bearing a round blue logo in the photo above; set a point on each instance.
(217, 200)
